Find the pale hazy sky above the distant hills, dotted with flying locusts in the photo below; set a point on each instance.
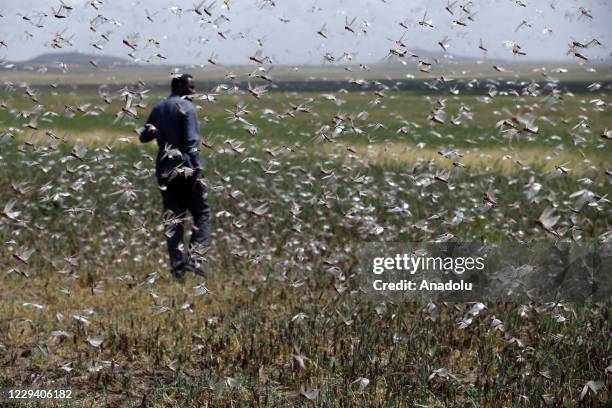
(286, 30)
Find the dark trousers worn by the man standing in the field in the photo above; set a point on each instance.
(178, 197)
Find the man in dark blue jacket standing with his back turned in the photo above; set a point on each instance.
(173, 122)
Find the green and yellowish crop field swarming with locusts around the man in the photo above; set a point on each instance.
(299, 183)
